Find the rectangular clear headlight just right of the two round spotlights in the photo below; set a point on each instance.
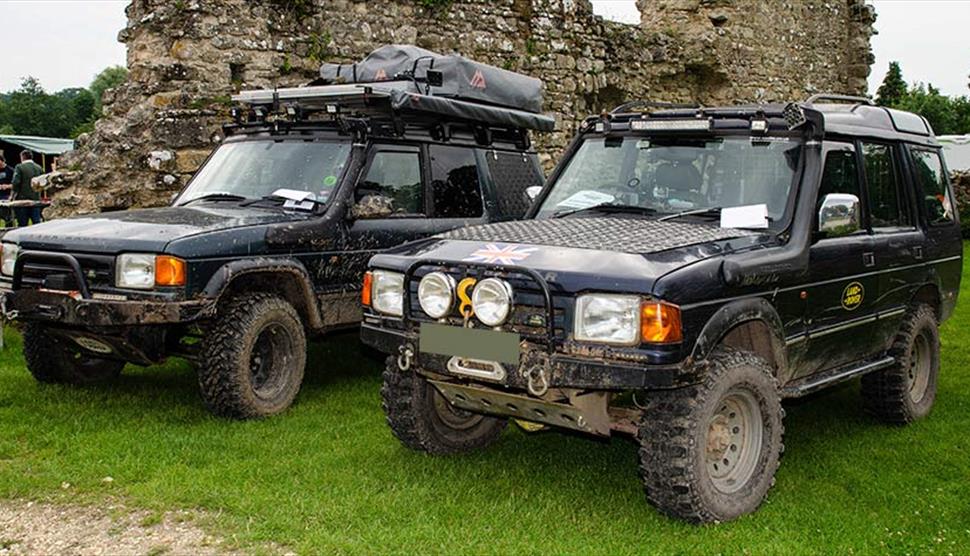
(611, 319)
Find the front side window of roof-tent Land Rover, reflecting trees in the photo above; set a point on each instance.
(392, 184)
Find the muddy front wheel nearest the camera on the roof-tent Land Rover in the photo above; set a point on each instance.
(253, 357)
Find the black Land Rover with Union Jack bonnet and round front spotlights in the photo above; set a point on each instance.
(682, 273)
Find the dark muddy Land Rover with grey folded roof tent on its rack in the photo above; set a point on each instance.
(267, 243)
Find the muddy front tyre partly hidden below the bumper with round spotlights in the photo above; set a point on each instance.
(421, 418)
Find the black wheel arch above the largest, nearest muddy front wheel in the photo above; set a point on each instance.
(748, 324)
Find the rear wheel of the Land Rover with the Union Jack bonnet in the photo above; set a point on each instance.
(905, 392)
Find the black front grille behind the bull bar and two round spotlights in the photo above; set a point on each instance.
(529, 315)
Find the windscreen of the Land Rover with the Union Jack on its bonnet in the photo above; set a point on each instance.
(677, 175)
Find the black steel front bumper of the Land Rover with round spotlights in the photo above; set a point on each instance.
(561, 370)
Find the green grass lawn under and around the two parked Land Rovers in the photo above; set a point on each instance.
(328, 476)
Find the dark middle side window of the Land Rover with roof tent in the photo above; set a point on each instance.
(455, 188)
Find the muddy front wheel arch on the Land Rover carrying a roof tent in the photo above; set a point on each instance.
(285, 277)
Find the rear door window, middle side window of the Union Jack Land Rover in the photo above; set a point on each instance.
(887, 207)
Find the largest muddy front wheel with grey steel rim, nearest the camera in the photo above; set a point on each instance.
(687, 432)
